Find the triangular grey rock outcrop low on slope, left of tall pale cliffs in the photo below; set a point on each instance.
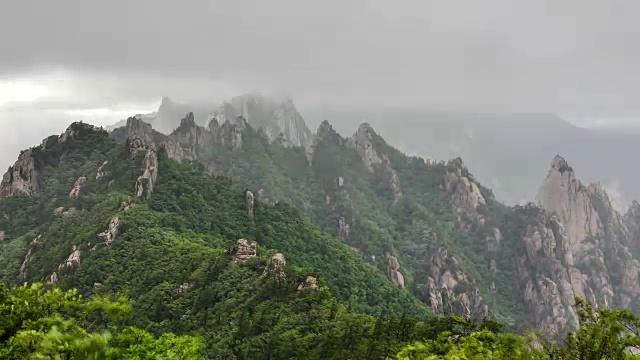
(450, 290)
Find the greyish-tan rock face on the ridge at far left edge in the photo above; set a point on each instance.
(21, 178)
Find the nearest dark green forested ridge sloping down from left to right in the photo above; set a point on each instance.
(196, 254)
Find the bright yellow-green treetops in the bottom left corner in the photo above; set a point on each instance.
(43, 322)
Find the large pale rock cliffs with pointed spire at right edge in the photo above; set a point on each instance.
(576, 245)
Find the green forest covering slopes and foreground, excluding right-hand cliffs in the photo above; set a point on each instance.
(109, 272)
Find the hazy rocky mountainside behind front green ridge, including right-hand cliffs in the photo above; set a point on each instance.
(432, 228)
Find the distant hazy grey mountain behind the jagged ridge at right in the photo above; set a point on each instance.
(506, 152)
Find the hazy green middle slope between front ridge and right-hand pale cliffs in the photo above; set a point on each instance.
(392, 210)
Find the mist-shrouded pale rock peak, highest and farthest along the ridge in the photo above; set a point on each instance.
(277, 118)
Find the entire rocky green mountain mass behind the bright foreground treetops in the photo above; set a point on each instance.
(306, 252)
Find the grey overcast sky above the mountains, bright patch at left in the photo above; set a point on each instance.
(104, 60)
